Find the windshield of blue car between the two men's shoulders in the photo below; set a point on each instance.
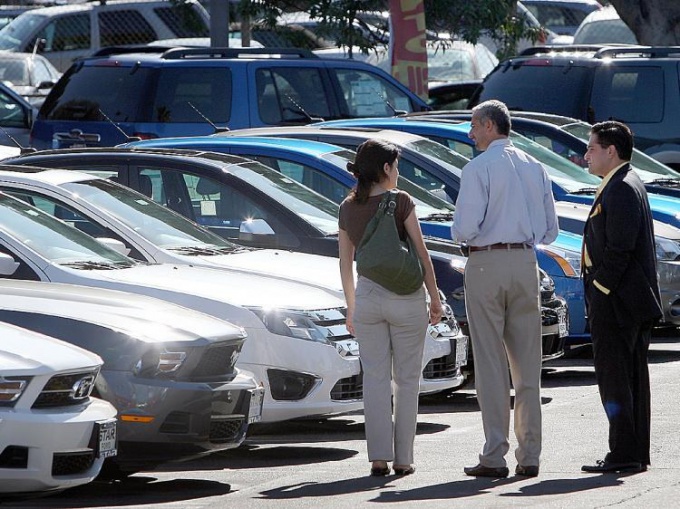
(570, 176)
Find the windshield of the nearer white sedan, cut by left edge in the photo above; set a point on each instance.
(55, 240)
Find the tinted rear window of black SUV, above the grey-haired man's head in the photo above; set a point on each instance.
(539, 87)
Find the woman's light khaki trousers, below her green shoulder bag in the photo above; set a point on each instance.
(390, 329)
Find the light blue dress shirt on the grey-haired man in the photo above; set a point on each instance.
(505, 196)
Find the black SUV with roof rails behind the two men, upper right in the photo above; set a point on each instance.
(637, 85)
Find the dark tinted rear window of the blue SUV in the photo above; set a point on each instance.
(87, 93)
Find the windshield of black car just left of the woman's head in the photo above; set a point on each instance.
(314, 208)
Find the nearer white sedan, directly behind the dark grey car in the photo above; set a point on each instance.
(288, 323)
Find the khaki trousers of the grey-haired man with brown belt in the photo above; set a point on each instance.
(502, 300)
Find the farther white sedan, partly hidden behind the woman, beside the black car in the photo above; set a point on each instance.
(150, 232)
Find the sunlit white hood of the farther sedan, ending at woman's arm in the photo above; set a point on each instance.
(321, 271)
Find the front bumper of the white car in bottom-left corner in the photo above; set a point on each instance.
(60, 446)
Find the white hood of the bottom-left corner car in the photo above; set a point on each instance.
(26, 352)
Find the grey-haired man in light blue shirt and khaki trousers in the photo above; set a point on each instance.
(505, 207)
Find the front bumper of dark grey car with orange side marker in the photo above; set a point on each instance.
(167, 420)
